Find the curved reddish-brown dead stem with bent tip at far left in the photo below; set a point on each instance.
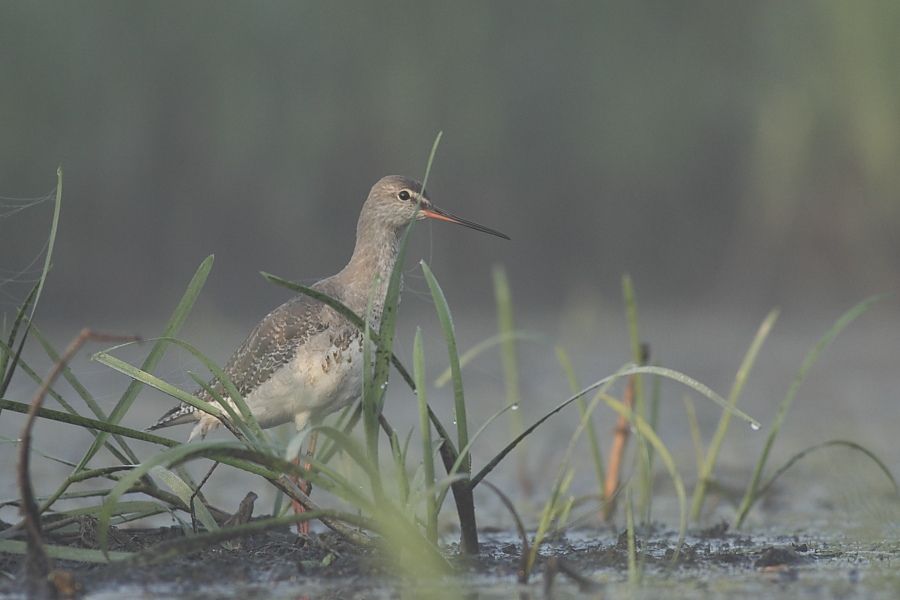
(37, 563)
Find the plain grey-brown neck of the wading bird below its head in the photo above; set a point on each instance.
(365, 278)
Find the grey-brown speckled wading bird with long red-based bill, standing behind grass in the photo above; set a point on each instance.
(303, 361)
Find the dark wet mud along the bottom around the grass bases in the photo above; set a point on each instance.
(278, 564)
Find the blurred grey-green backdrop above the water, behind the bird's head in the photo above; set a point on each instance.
(745, 153)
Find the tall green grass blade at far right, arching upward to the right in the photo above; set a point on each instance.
(810, 359)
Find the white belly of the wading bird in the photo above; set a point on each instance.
(316, 382)
